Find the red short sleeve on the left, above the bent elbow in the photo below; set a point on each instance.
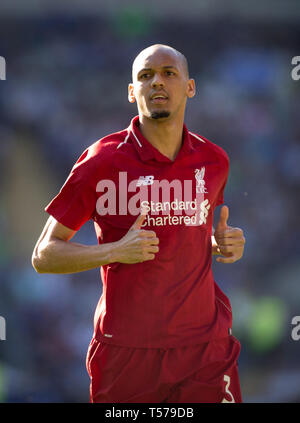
(75, 203)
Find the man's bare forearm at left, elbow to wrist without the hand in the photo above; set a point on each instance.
(58, 256)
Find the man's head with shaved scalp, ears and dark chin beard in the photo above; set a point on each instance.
(160, 84)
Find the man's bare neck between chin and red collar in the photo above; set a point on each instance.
(165, 135)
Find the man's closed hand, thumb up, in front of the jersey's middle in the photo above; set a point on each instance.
(137, 245)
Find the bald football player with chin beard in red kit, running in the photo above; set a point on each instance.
(162, 327)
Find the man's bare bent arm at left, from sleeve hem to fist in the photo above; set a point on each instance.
(54, 253)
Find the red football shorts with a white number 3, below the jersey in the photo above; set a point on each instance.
(206, 373)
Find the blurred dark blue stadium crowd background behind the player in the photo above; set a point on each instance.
(67, 69)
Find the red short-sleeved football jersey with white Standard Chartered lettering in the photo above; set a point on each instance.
(173, 300)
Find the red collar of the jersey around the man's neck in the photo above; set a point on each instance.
(147, 151)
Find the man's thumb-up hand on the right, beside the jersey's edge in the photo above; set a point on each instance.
(230, 241)
